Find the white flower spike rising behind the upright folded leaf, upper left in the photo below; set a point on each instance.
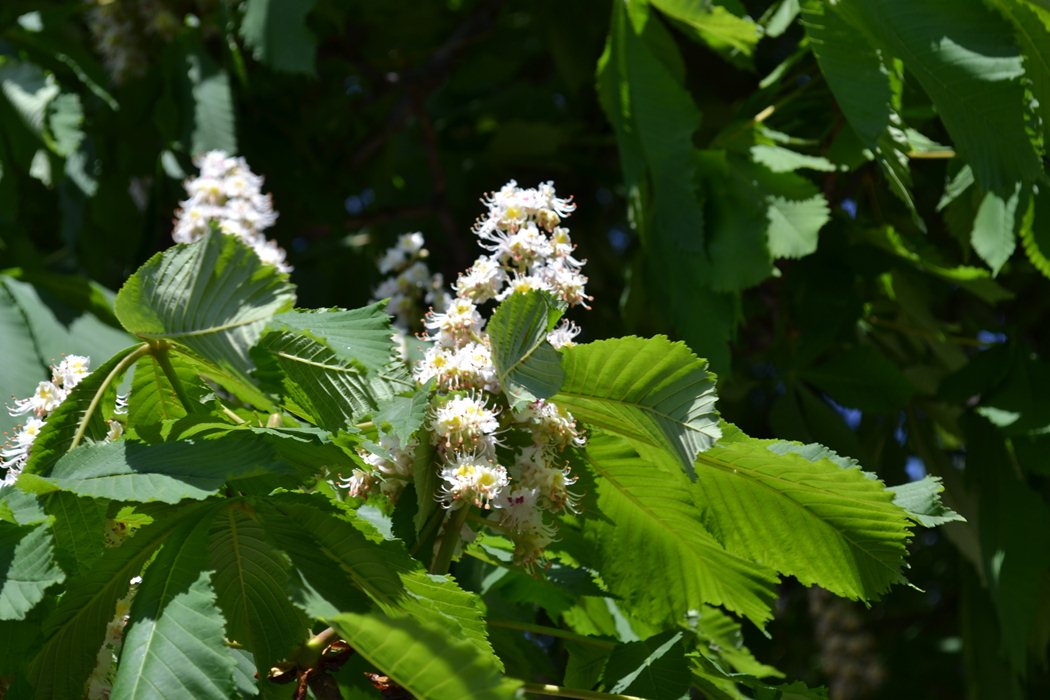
(228, 194)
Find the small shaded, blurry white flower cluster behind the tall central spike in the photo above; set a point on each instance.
(410, 285)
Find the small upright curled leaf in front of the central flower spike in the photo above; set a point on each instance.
(528, 366)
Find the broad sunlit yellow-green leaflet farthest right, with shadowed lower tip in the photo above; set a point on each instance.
(811, 519)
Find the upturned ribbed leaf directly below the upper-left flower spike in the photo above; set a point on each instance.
(215, 298)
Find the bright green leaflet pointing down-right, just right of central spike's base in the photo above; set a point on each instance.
(650, 523)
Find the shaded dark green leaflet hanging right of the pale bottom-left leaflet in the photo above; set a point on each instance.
(251, 580)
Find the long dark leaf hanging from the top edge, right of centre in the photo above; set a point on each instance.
(642, 91)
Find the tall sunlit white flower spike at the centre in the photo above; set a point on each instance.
(513, 463)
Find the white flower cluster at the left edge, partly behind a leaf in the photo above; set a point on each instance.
(46, 399)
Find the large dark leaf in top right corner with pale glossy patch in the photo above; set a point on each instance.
(964, 57)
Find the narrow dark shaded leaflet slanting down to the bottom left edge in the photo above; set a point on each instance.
(75, 631)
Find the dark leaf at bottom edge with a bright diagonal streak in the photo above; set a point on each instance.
(654, 668)
